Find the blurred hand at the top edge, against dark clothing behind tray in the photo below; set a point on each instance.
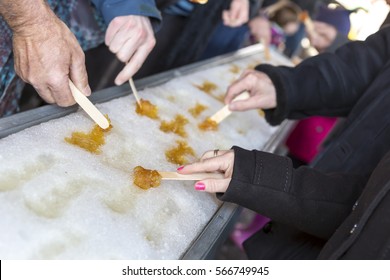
(237, 15)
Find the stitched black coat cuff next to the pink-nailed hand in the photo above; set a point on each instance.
(259, 179)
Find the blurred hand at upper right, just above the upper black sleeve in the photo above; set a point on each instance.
(323, 36)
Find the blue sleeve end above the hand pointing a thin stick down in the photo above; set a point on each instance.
(114, 8)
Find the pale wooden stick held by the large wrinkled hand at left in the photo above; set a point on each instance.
(88, 107)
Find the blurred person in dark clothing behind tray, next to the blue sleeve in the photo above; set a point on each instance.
(188, 31)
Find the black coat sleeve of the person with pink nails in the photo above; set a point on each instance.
(305, 198)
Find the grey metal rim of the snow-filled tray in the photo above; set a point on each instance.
(218, 228)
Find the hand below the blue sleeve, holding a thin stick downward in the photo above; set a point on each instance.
(131, 38)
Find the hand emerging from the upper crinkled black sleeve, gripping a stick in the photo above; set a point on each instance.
(261, 90)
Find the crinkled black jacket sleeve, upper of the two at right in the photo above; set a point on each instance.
(327, 84)
